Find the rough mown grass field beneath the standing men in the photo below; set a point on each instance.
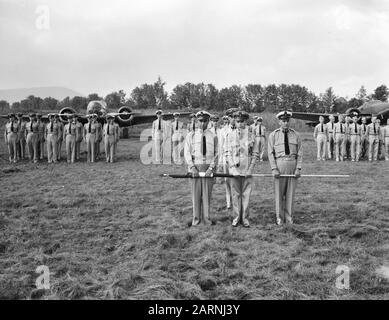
(119, 231)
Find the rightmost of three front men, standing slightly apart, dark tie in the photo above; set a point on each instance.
(285, 156)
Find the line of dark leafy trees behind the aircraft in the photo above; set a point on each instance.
(252, 98)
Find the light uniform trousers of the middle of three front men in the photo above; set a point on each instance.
(241, 190)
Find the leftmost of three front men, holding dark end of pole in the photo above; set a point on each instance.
(200, 153)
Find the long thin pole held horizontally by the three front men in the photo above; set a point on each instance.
(255, 175)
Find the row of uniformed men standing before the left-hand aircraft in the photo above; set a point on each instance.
(34, 134)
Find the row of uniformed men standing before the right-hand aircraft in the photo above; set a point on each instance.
(347, 139)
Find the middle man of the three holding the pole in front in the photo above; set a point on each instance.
(241, 161)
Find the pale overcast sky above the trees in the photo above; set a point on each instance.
(103, 46)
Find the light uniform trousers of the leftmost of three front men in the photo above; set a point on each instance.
(201, 199)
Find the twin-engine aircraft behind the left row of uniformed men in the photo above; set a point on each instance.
(125, 117)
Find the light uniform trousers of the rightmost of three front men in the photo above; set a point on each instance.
(284, 189)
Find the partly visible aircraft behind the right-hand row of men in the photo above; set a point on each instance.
(368, 109)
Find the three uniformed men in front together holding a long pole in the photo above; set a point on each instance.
(237, 150)
